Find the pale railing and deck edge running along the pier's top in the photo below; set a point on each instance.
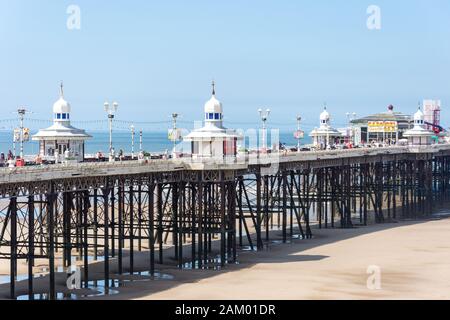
(41, 172)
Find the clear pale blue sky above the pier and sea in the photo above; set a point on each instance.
(157, 57)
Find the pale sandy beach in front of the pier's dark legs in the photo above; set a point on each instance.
(414, 259)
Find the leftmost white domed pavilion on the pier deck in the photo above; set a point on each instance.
(61, 138)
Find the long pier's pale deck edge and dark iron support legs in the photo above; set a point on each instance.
(188, 207)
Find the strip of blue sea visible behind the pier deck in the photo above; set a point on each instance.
(152, 141)
